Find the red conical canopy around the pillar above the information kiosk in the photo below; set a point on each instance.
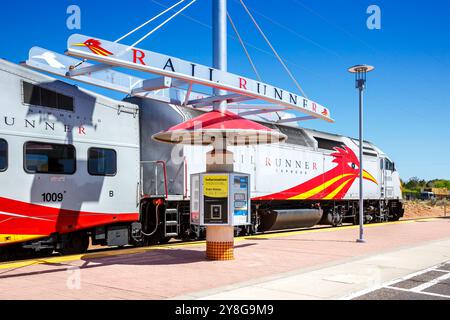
(215, 125)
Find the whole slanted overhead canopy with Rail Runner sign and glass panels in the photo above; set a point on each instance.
(167, 72)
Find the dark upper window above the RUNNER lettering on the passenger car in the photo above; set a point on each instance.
(38, 96)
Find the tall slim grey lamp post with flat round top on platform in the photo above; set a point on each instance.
(360, 72)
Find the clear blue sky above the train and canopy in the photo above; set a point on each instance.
(408, 98)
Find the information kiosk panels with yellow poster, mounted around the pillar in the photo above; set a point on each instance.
(220, 199)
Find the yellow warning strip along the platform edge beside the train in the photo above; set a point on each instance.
(94, 255)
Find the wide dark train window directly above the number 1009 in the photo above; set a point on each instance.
(49, 158)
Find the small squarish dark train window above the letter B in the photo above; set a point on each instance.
(102, 162)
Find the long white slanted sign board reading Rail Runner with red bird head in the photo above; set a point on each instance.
(119, 55)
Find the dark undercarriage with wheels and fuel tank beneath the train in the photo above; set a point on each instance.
(162, 221)
